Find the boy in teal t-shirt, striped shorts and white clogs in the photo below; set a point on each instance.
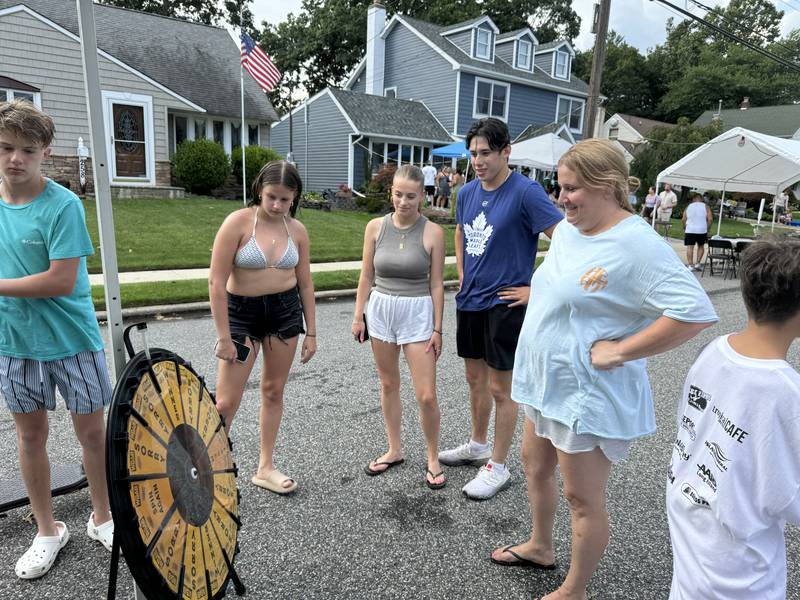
(49, 337)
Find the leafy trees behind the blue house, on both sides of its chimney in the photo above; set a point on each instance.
(320, 46)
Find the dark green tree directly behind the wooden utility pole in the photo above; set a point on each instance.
(626, 77)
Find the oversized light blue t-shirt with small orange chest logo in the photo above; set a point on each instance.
(592, 288)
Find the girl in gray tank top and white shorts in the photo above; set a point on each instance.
(404, 259)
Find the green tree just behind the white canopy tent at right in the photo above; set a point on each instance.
(668, 145)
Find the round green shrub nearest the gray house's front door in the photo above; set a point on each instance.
(201, 165)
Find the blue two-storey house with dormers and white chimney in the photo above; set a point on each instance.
(441, 78)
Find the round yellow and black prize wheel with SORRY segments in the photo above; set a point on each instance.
(171, 480)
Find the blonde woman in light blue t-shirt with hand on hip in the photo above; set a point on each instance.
(596, 311)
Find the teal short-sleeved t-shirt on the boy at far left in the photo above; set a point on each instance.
(52, 226)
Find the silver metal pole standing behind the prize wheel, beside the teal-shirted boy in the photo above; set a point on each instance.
(102, 186)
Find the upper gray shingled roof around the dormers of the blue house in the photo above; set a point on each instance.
(500, 68)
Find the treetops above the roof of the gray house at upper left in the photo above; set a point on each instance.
(209, 12)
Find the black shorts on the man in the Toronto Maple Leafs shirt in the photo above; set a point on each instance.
(490, 335)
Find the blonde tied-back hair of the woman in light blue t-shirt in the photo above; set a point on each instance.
(599, 164)
